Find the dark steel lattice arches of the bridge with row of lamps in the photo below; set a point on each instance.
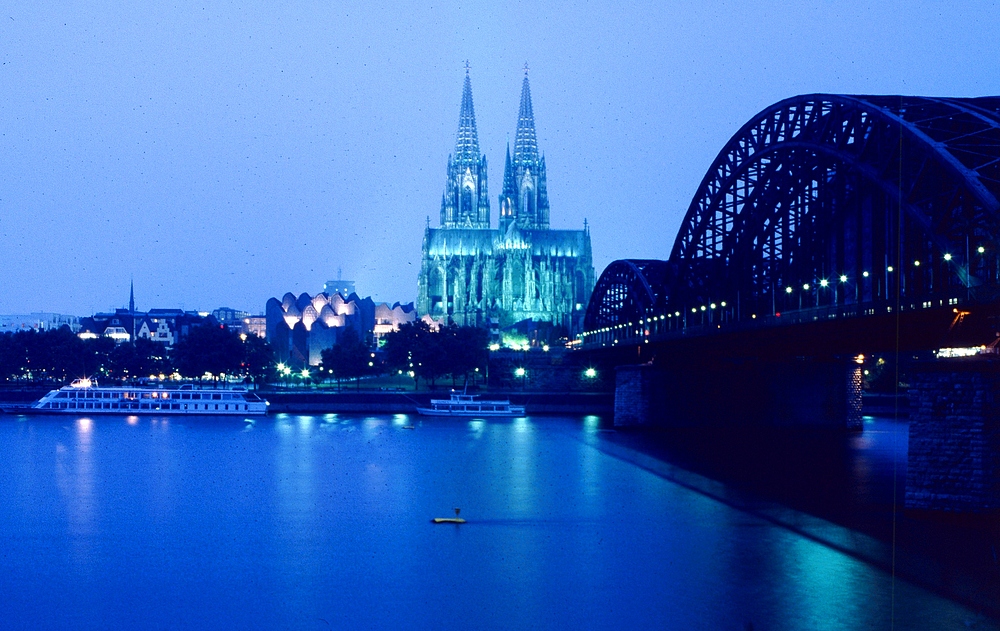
(824, 207)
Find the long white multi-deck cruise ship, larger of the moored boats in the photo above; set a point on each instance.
(84, 396)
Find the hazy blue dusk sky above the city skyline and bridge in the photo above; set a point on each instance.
(220, 153)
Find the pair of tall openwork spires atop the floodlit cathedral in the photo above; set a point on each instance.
(524, 201)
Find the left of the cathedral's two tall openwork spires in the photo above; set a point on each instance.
(466, 202)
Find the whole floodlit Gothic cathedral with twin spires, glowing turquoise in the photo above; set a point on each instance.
(473, 274)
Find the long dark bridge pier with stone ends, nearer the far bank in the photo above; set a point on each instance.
(807, 393)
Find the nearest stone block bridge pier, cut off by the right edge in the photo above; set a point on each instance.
(953, 461)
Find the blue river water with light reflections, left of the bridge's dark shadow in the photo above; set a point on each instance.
(324, 522)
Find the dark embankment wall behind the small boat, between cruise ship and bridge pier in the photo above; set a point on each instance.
(574, 403)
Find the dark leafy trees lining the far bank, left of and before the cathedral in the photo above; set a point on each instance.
(59, 356)
